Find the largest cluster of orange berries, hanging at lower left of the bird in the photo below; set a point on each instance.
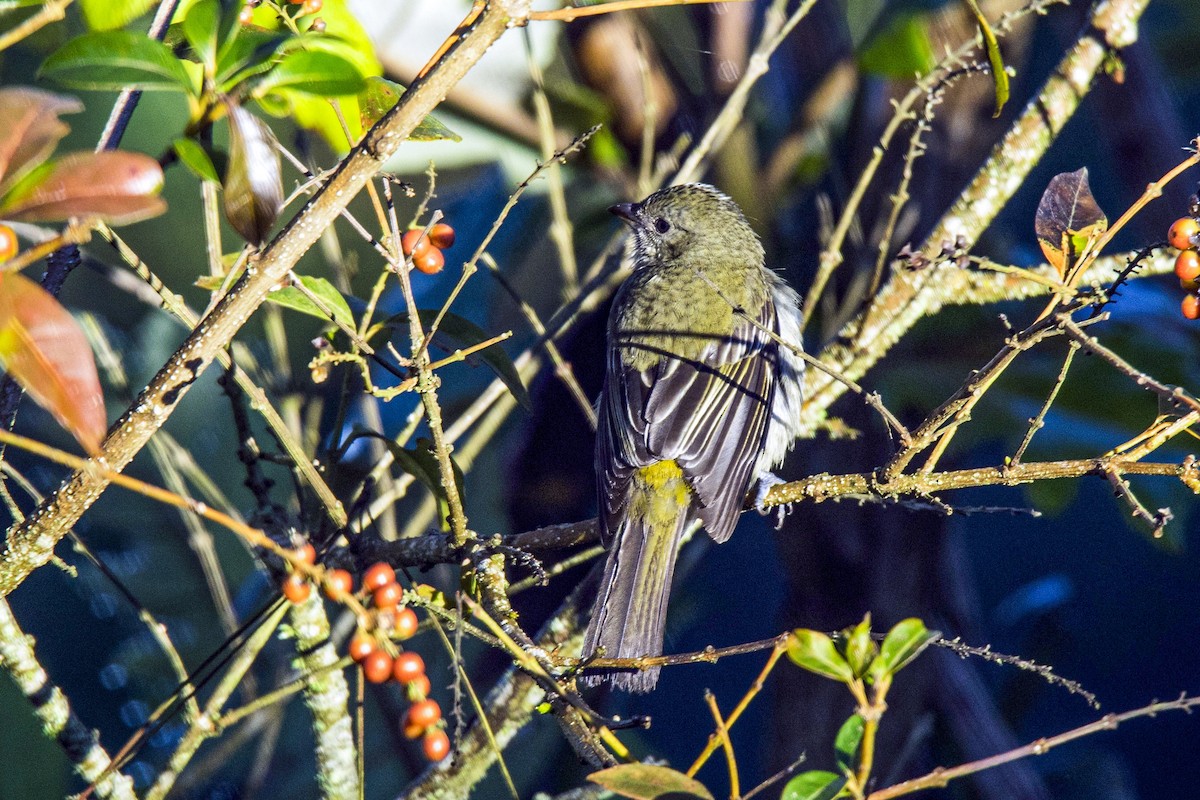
(371, 649)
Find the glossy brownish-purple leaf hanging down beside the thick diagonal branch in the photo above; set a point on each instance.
(254, 181)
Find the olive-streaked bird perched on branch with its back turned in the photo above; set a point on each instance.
(698, 404)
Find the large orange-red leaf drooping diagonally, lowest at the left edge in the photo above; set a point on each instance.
(46, 352)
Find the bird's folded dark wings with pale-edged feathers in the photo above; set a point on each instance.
(710, 416)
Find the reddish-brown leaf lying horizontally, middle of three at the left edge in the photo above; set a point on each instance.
(115, 187)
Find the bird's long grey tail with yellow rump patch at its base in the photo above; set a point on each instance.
(632, 609)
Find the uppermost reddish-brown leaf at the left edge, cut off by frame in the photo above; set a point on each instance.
(32, 130)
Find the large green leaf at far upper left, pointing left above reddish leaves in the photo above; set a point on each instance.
(116, 61)
